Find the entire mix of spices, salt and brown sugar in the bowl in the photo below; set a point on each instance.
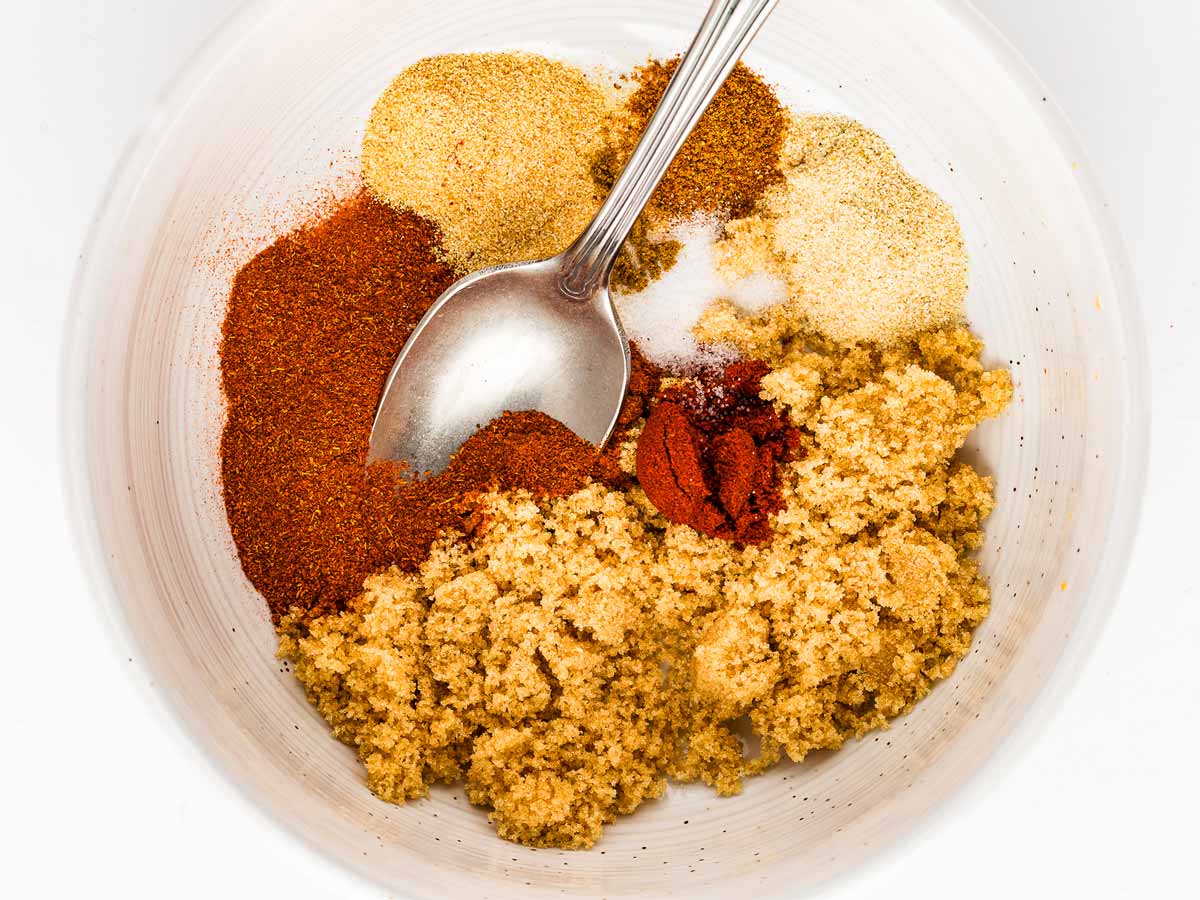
(778, 537)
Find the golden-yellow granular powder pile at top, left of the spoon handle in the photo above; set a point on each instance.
(494, 148)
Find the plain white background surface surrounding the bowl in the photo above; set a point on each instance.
(101, 800)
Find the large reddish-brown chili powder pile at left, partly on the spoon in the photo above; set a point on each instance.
(314, 326)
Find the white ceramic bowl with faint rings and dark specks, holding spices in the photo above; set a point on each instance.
(259, 119)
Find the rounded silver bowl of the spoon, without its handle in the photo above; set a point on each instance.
(502, 339)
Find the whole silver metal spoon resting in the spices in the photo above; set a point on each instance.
(545, 335)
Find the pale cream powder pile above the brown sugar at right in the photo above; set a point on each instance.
(868, 254)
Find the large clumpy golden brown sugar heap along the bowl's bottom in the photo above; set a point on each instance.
(584, 650)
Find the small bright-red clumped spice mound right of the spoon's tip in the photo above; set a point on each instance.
(710, 454)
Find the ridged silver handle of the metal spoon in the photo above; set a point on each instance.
(723, 38)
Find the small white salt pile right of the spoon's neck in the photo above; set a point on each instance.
(661, 319)
